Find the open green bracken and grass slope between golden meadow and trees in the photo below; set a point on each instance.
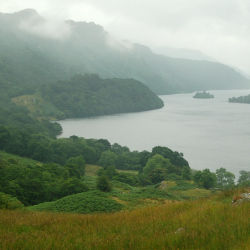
(122, 197)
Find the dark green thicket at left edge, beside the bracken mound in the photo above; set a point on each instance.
(32, 182)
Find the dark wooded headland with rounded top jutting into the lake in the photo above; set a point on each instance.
(89, 95)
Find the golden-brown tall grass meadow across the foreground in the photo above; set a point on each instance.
(204, 224)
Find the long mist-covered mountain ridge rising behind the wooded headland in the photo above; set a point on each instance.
(35, 51)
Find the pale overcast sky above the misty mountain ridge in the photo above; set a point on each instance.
(219, 28)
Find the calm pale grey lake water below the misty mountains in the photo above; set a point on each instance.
(211, 133)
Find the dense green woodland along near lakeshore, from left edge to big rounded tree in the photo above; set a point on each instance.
(61, 165)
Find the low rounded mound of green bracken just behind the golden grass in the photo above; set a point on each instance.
(87, 202)
